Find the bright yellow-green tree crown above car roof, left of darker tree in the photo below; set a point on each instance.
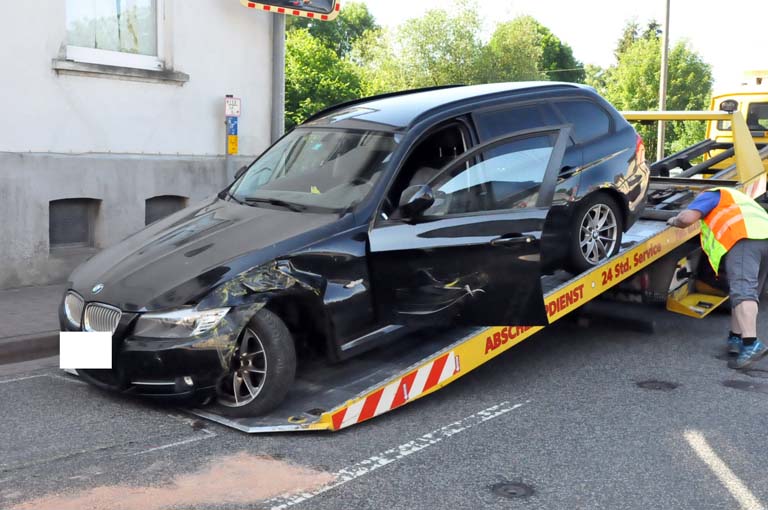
(513, 53)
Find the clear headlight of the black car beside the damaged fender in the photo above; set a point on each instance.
(181, 323)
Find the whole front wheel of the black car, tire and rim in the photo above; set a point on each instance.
(262, 368)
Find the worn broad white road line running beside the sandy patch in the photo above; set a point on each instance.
(387, 457)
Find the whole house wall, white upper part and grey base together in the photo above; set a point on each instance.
(115, 139)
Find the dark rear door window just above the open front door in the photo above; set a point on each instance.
(505, 121)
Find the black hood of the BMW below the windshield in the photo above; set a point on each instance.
(180, 258)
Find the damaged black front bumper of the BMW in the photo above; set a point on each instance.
(184, 367)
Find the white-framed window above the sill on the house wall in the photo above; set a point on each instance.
(126, 33)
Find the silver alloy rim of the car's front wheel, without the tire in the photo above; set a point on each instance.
(248, 372)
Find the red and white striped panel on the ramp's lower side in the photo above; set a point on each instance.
(399, 392)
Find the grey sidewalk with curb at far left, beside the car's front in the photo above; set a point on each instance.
(29, 324)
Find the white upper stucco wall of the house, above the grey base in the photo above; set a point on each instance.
(223, 47)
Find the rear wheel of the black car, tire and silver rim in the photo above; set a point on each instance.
(596, 230)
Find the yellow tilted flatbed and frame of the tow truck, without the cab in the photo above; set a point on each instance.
(656, 263)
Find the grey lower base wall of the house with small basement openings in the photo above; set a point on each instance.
(121, 183)
